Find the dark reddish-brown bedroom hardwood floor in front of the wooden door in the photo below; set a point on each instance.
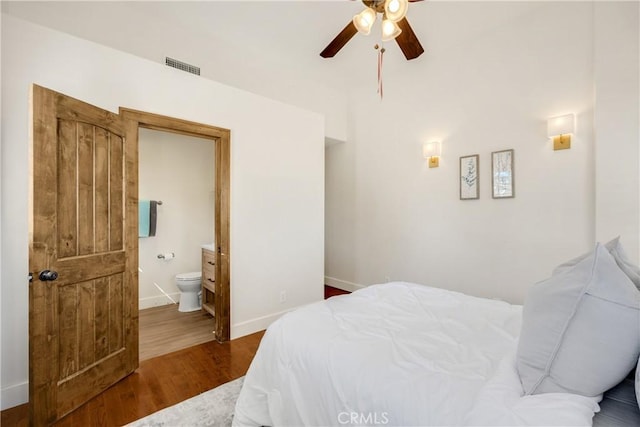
(158, 383)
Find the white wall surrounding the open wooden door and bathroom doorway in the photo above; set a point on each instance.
(277, 167)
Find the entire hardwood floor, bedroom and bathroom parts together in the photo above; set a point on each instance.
(163, 380)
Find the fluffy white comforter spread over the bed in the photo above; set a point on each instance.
(393, 354)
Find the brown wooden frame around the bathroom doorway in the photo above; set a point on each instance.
(222, 139)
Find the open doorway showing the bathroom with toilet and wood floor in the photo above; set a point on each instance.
(176, 173)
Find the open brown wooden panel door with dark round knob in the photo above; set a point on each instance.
(83, 325)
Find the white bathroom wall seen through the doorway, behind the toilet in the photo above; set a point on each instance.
(179, 171)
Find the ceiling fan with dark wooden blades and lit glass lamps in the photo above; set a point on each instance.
(394, 26)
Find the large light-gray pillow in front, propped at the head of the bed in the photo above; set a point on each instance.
(580, 329)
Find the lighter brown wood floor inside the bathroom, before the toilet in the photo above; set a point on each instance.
(164, 330)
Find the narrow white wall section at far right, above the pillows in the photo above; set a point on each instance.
(617, 121)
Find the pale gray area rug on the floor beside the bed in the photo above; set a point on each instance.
(211, 408)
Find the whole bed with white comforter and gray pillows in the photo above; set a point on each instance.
(409, 354)
